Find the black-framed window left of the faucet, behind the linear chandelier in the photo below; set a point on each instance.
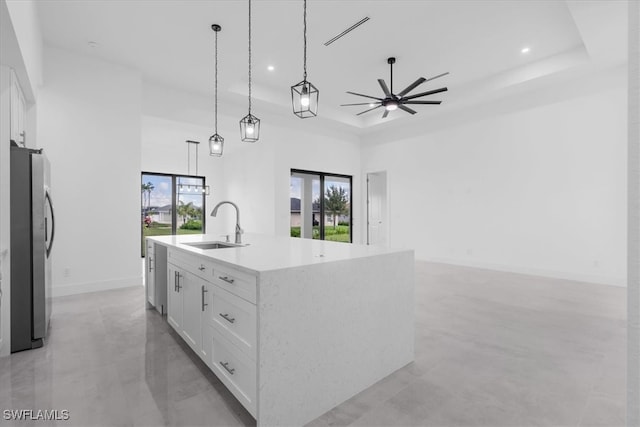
(172, 204)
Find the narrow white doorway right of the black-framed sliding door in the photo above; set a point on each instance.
(377, 211)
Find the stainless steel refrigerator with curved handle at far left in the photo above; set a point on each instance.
(32, 233)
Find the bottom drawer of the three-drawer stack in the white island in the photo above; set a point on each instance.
(234, 369)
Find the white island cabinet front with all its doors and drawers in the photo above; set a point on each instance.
(213, 309)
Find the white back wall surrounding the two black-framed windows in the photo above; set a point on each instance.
(256, 176)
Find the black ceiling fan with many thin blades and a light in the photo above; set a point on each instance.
(400, 100)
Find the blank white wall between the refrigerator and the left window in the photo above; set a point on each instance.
(89, 125)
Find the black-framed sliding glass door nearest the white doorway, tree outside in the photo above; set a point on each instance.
(320, 206)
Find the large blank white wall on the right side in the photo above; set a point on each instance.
(538, 191)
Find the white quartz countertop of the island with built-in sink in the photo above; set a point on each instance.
(266, 252)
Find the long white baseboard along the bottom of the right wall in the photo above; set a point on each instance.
(578, 277)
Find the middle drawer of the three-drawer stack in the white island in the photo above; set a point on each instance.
(235, 319)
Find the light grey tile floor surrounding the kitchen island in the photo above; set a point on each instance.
(492, 349)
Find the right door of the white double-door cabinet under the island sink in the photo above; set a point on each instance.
(192, 305)
